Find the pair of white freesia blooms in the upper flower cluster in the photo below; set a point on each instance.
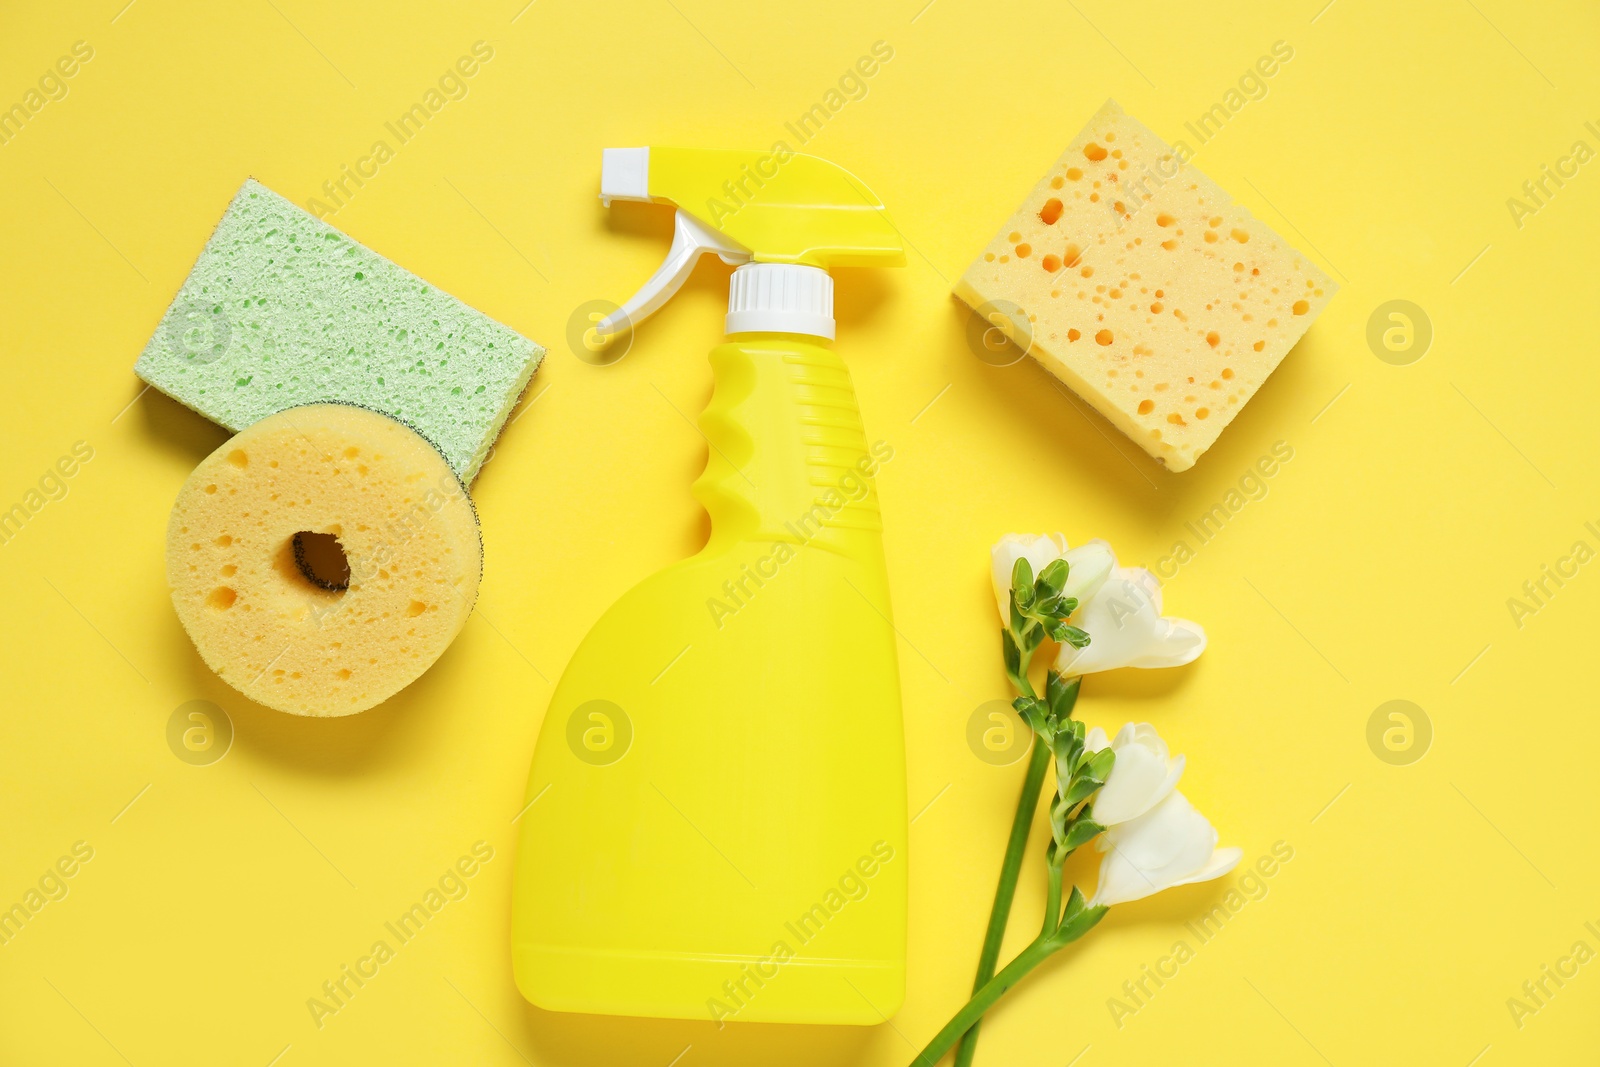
(1119, 607)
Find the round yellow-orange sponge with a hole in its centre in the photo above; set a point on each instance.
(407, 529)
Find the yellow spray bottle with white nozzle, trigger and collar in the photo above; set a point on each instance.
(716, 820)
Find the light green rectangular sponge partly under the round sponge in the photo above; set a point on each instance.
(282, 310)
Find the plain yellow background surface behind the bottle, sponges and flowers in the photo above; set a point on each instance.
(1377, 569)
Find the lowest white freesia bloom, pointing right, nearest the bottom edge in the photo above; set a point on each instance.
(1170, 845)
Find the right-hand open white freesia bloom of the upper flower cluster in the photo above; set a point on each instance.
(1127, 629)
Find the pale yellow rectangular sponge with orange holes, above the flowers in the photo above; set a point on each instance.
(1146, 289)
